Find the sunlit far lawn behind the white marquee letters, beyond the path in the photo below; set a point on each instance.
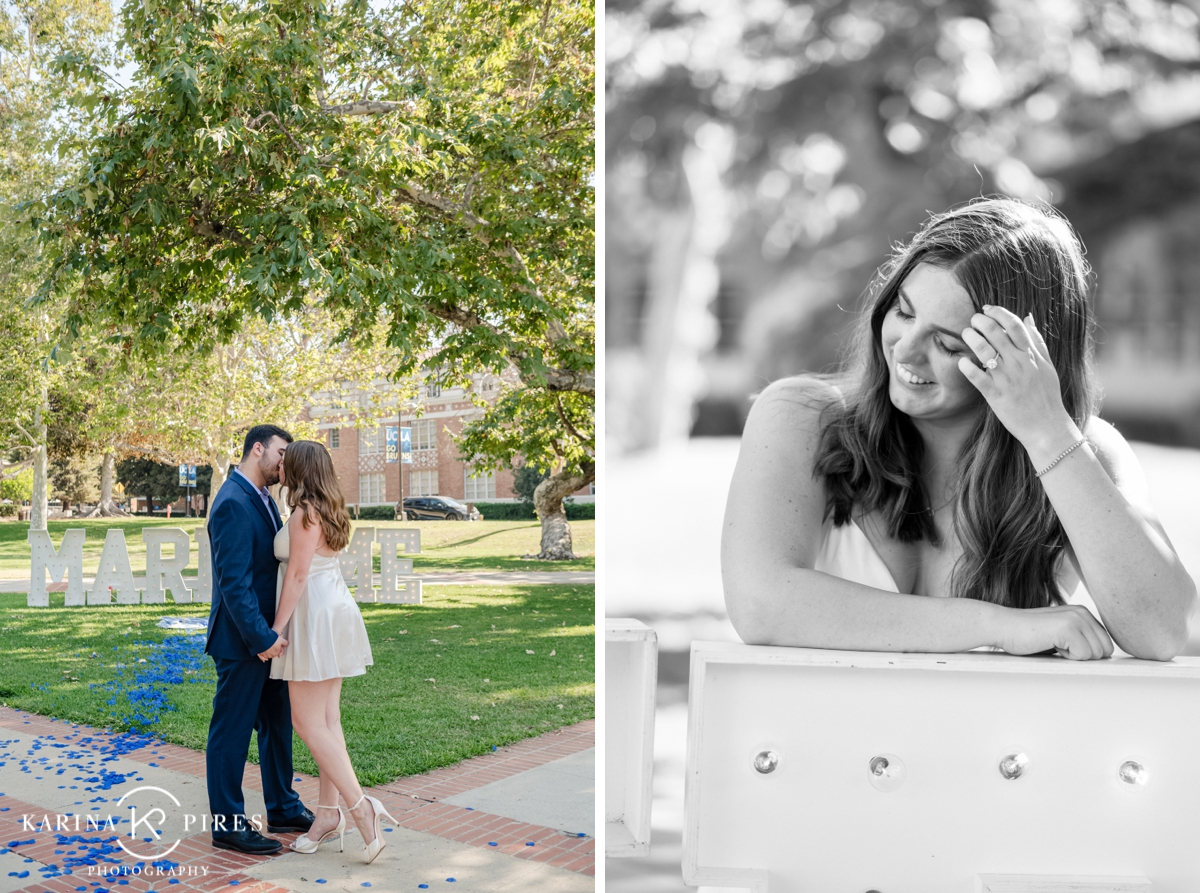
(446, 546)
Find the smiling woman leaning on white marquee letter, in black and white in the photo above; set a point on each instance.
(953, 488)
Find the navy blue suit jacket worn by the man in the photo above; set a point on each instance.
(244, 572)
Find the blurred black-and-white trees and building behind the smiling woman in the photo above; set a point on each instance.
(764, 157)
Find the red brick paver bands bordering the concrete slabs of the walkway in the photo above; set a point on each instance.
(416, 802)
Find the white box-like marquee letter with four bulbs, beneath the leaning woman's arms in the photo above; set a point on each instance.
(847, 772)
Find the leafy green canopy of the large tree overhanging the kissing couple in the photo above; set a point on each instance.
(424, 166)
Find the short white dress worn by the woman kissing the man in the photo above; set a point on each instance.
(326, 633)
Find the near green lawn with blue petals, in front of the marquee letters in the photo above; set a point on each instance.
(452, 679)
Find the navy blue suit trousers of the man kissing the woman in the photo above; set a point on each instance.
(249, 700)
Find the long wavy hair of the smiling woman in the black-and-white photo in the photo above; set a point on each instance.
(1010, 255)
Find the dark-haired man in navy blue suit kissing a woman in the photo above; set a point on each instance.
(243, 523)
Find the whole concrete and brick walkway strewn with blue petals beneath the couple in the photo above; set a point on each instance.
(521, 818)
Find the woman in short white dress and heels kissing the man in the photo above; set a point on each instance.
(327, 642)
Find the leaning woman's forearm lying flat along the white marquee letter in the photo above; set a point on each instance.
(797, 607)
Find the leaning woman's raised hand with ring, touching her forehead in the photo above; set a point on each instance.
(1018, 379)
